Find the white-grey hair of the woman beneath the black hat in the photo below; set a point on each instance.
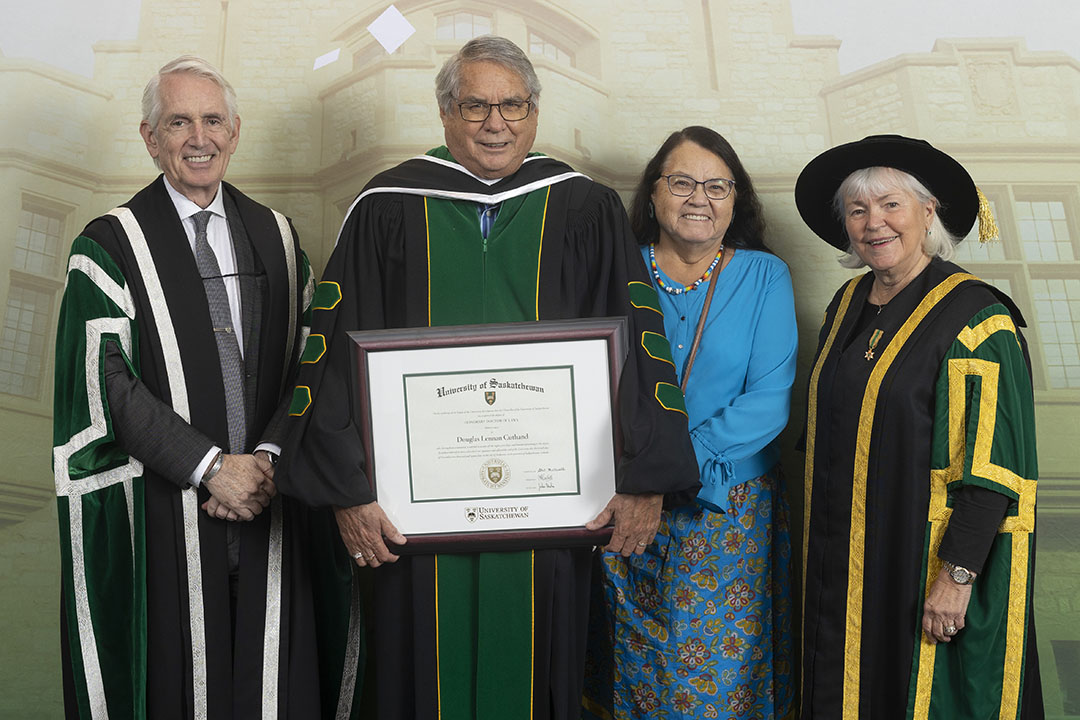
(880, 181)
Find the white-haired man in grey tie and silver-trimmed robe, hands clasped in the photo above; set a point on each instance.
(186, 592)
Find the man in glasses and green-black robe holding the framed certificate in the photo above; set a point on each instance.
(481, 232)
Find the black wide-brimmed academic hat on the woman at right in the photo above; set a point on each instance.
(944, 178)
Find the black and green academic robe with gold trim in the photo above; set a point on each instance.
(936, 395)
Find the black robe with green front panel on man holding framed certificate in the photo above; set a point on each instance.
(506, 639)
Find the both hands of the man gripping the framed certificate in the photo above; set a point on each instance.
(366, 528)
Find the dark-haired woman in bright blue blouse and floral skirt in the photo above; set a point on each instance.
(703, 620)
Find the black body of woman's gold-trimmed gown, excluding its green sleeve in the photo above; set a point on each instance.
(867, 513)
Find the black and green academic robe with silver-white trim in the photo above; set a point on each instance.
(146, 628)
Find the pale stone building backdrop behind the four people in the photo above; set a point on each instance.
(617, 78)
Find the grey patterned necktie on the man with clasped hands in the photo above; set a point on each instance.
(228, 349)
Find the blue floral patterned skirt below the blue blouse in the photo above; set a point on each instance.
(703, 621)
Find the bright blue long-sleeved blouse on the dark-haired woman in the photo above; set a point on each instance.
(739, 393)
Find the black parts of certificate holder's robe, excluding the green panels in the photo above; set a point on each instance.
(589, 256)
